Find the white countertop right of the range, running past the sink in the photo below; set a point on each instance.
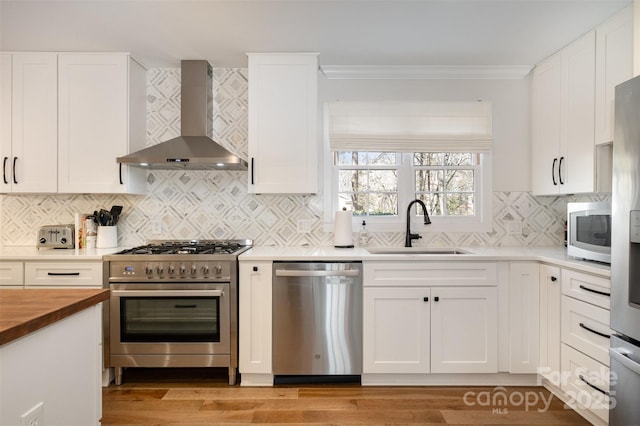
(551, 255)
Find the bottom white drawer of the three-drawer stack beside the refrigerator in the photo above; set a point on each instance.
(585, 382)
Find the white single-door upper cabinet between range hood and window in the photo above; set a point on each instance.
(283, 121)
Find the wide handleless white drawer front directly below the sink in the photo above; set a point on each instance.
(411, 274)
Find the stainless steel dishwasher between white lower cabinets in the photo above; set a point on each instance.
(317, 318)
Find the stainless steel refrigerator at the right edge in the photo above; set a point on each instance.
(625, 257)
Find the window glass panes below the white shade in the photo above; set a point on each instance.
(370, 184)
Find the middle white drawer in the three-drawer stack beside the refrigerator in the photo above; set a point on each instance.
(585, 327)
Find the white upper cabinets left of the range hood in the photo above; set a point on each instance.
(66, 117)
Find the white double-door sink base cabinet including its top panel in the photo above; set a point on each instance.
(417, 329)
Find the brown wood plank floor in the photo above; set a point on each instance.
(201, 396)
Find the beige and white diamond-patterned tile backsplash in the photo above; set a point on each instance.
(216, 205)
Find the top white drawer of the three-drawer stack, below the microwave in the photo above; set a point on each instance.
(589, 288)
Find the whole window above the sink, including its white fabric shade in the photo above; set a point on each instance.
(386, 154)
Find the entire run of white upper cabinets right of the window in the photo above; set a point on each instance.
(572, 110)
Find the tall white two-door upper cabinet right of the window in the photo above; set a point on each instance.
(563, 116)
